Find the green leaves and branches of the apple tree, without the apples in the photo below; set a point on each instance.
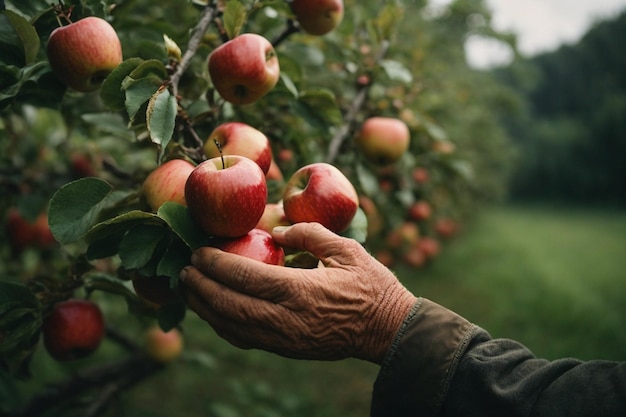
(81, 158)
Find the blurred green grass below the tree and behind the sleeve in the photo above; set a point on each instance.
(550, 278)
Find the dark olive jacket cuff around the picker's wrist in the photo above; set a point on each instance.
(415, 375)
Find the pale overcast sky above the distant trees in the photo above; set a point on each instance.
(541, 25)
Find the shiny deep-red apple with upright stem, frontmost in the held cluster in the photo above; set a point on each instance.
(226, 196)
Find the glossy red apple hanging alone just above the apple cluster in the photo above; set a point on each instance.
(244, 69)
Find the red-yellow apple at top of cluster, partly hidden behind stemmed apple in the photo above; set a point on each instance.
(237, 138)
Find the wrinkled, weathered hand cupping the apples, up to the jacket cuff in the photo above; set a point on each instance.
(350, 307)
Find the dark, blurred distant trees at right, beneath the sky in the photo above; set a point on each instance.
(572, 137)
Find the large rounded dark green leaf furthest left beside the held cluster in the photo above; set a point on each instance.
(75, 208)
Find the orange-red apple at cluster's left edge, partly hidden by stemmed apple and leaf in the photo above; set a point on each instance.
(166, 183)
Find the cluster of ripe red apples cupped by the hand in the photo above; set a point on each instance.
(227, 195)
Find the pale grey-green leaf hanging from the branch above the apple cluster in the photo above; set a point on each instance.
(161, 117)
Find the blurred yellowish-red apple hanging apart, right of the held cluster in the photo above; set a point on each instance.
(383, 140)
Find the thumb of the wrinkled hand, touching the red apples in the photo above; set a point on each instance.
(310, 237)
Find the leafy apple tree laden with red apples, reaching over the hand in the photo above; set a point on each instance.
(378, 90)
